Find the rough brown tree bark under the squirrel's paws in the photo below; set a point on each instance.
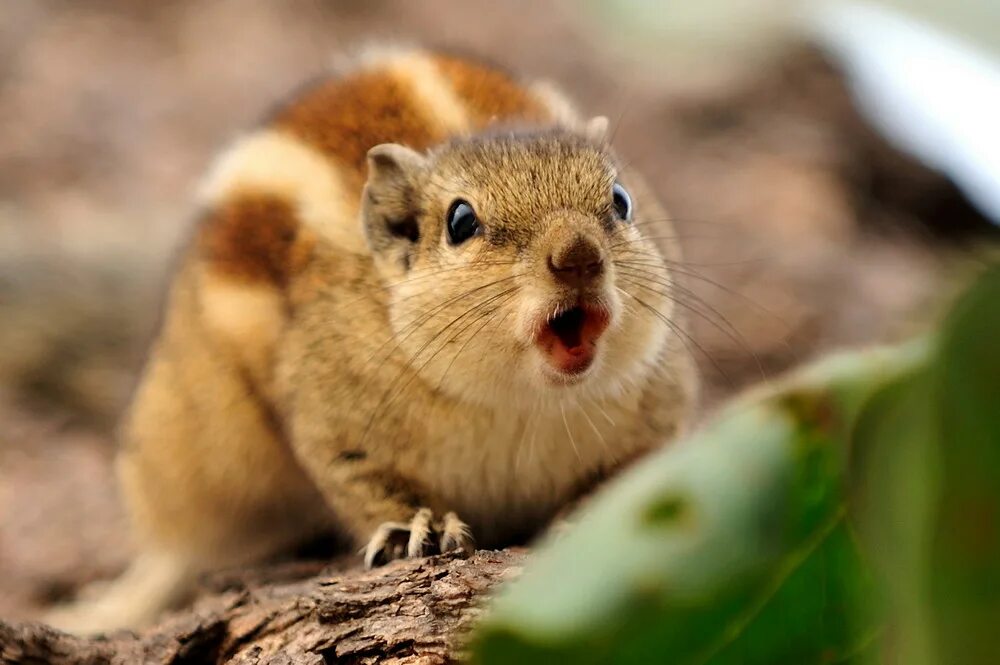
(408, 612)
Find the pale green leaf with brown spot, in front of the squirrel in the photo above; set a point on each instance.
(731, 547)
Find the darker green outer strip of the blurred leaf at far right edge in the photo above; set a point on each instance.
(964, 570)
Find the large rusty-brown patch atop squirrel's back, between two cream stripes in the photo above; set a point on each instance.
(345, 118)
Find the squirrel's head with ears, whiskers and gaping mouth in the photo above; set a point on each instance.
(517, 265)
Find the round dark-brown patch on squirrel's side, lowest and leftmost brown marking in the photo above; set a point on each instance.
(253, 237)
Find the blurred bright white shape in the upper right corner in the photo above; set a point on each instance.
(929, 93)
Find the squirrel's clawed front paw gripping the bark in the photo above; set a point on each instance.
(421, 537)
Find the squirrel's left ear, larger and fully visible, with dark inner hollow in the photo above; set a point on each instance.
(389, 201)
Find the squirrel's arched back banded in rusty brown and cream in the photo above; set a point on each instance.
(296, 180)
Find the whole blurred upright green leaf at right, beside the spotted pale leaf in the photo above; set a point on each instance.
(928, 479)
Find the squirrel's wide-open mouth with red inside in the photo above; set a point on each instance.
(569, 338)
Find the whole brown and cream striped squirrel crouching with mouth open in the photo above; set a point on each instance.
(422, 306)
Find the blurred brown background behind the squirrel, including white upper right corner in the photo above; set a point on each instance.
(832, 169)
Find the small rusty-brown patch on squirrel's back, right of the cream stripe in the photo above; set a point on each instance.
(489, 93)
